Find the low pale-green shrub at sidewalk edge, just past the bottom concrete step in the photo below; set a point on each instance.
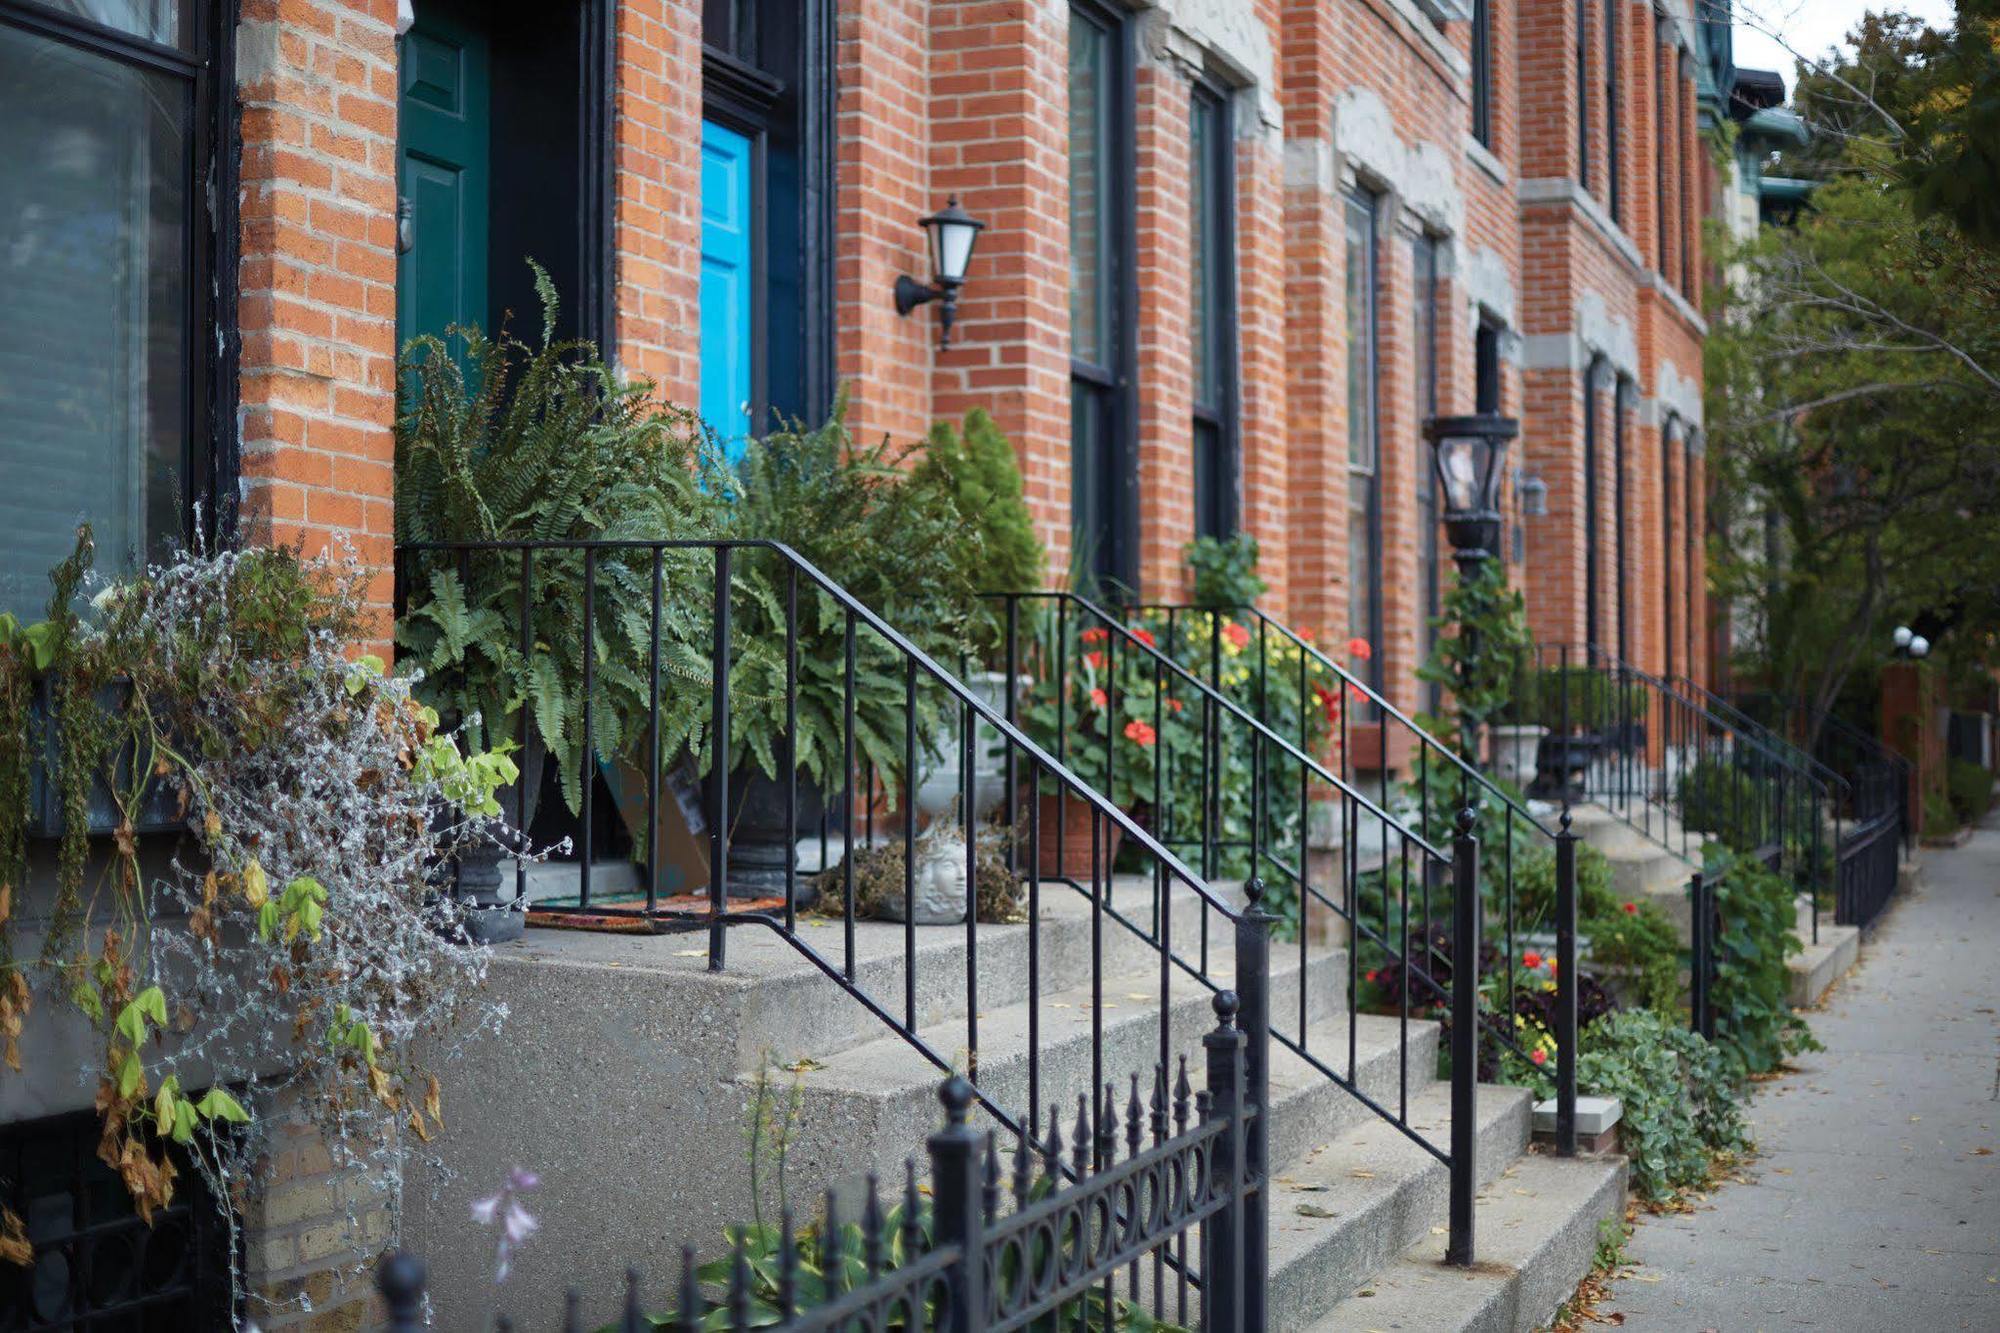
(1679, 1102)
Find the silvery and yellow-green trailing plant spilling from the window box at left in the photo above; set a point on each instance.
(293, 944)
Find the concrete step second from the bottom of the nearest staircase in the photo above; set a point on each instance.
(1385, 1194)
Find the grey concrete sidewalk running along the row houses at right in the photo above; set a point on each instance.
(1875, 1202)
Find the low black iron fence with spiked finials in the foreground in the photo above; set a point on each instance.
(1093, 1238)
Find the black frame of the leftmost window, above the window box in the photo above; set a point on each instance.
(211, 459)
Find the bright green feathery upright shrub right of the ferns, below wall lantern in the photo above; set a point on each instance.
(979, 473)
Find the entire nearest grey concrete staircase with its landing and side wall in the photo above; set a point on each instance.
(643, 1070)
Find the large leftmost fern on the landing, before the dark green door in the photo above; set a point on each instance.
(545, 443)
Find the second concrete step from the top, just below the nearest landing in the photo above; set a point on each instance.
(869, 1108)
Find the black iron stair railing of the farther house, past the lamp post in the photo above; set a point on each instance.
(1671, 768)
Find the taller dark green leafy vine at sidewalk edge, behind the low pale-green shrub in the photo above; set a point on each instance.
(1755, 1026)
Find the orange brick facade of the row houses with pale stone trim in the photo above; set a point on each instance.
(969, 99)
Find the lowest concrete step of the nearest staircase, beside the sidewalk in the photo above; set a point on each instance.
(1535, 1238)
